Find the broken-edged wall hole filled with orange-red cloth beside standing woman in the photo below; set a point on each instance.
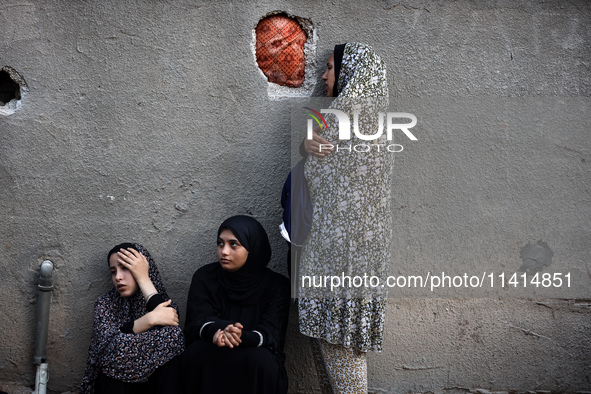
(284, 47)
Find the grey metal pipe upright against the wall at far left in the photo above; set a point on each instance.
(40, 357)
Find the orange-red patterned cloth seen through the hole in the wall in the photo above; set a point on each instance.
(280, 50)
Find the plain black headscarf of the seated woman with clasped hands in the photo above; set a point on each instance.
(246, 284)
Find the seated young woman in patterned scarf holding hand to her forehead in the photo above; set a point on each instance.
(135, 331)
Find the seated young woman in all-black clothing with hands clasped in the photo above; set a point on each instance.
(237, 313)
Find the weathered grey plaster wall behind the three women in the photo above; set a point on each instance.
(150, 121)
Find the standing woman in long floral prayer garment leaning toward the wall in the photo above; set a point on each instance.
(351, 226)
